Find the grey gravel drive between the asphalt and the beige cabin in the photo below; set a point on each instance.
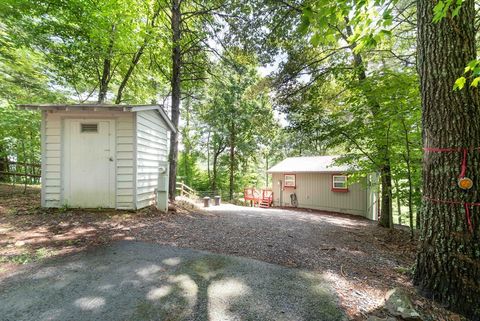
(361, 259)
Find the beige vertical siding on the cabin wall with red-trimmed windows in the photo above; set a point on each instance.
(314, 191)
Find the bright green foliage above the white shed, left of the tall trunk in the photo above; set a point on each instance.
(89, 47)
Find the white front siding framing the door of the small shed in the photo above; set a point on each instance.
(52, 155)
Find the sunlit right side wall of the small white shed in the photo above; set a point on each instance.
(151, 148)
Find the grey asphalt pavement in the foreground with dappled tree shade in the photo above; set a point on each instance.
(140, 281)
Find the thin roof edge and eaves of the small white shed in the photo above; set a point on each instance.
(101, 107)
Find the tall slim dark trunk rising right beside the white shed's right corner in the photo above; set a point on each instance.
(176, 94)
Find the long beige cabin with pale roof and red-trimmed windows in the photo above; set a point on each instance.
(317, 183)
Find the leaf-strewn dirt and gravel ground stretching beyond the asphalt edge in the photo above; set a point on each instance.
(363, 260)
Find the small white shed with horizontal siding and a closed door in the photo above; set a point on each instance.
(107, 156)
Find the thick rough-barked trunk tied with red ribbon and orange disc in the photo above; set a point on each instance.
(448, 262)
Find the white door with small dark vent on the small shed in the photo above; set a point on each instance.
(89, 164)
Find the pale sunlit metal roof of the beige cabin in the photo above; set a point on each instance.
(309, 164)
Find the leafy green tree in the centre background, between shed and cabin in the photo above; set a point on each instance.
(233, 114)
